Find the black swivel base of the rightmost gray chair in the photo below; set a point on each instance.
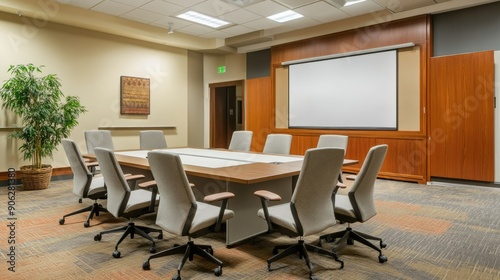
(348, 236)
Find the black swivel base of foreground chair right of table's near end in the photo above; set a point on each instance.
(301, 247)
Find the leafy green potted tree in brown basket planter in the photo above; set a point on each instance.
(45, 118)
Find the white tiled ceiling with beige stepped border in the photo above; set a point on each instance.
(249, 29)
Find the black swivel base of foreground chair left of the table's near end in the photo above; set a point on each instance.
(189, 250)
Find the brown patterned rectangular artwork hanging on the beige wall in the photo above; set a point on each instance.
(134, 96)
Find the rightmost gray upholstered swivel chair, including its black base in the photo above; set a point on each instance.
(359, 205)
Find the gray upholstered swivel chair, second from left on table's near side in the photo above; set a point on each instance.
(123, 202)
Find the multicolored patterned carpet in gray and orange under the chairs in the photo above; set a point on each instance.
(432, 232)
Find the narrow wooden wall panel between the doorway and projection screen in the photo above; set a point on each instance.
(259, 111)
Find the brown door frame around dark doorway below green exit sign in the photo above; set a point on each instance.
(213, 109)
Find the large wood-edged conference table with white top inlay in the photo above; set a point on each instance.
(242, 173)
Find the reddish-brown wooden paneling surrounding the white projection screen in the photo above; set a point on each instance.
(404, 160)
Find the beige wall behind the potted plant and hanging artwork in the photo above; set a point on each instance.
(89, 65)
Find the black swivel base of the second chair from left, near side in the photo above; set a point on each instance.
(131, 229)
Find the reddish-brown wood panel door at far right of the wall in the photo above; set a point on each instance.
(462, 116)
